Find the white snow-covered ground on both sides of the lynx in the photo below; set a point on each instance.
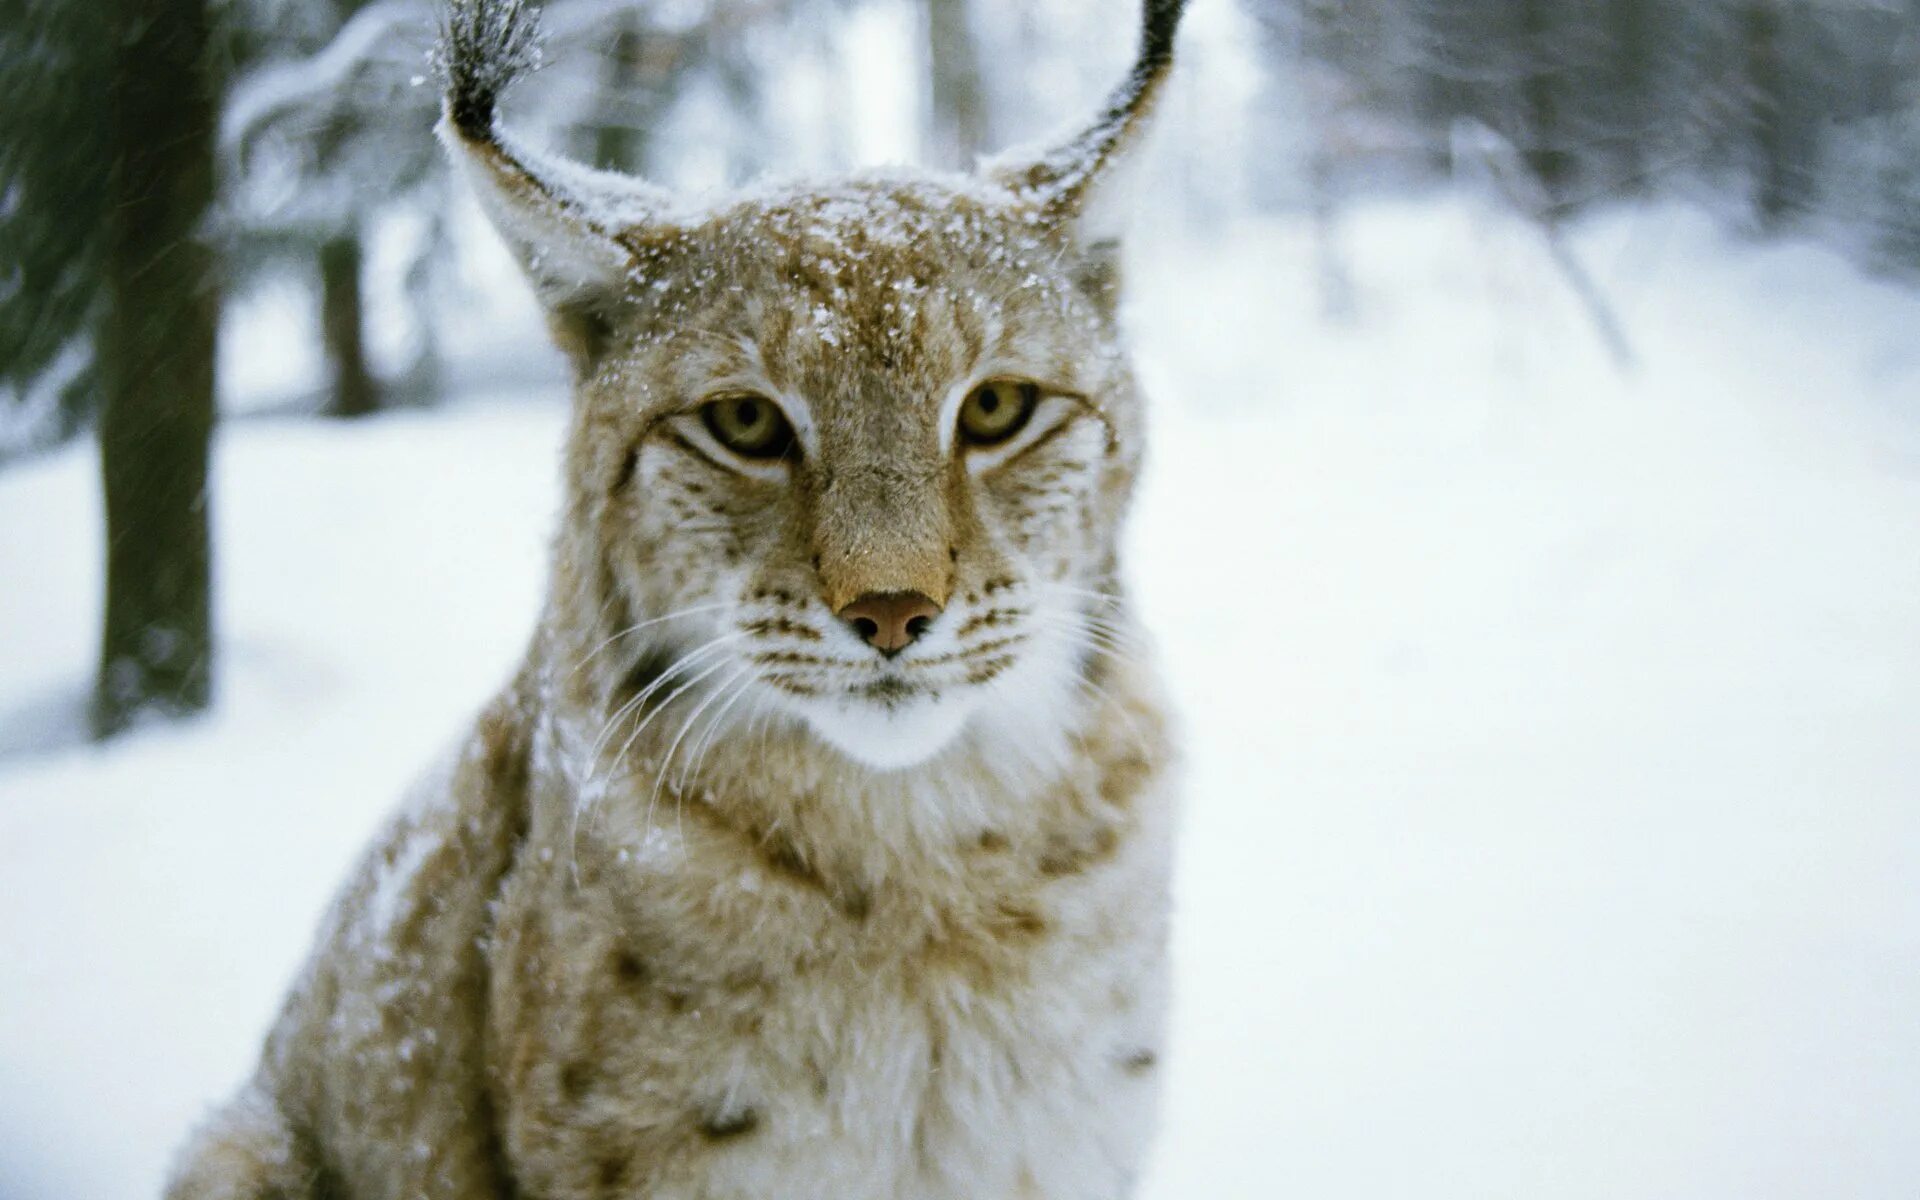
(1554, 790)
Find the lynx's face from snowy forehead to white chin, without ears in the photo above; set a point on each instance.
(894, 389)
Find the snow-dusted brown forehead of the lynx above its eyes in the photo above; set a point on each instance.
(880, 295)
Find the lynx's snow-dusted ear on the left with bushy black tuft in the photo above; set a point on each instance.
(562, 220)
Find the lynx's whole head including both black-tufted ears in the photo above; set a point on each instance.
(857, 452)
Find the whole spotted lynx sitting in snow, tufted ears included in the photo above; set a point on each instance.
(821, 846)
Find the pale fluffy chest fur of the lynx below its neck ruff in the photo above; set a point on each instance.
(709, 1017)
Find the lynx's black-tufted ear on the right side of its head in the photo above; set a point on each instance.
(1084, 181)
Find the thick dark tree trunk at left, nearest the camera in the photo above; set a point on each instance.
(156, 366)
